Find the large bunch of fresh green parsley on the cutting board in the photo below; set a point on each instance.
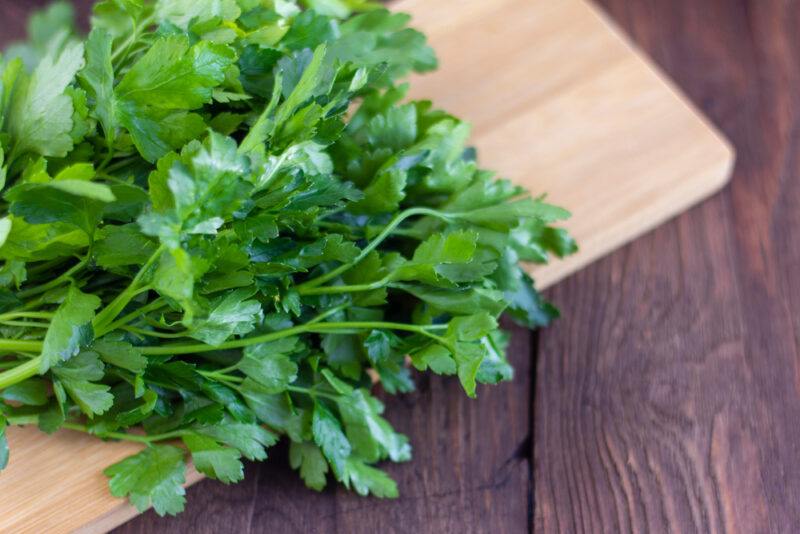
(223, 224)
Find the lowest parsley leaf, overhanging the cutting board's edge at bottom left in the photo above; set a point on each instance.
(154, 477)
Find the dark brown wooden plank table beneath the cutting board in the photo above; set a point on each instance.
(667, 399)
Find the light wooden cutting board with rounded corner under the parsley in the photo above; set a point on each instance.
(560, 101)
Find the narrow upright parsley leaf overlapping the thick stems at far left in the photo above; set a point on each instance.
(70, 329)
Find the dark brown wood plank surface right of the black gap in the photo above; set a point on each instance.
(668, 399)
